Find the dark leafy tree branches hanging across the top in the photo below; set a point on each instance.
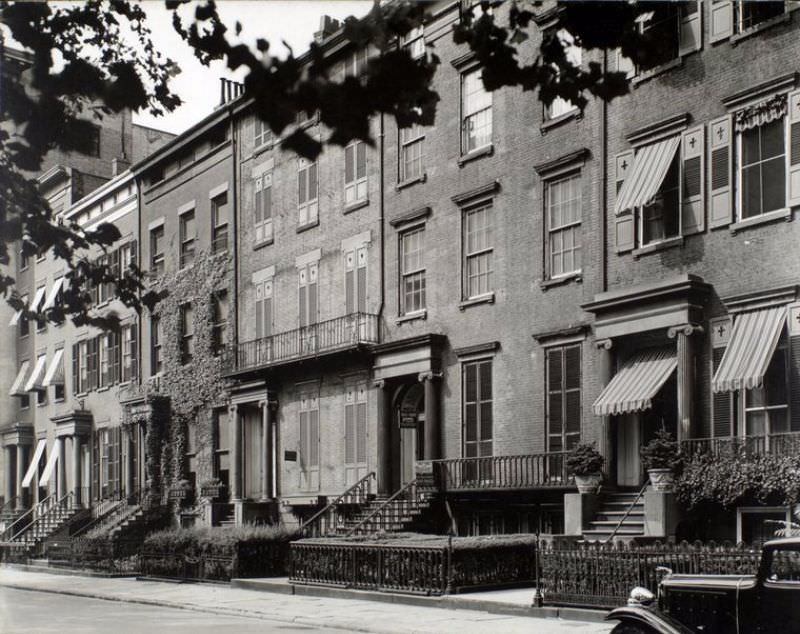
(97, 57)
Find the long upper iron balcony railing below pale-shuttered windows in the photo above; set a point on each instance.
(313, 340)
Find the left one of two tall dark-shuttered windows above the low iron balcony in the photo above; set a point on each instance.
(477, 413)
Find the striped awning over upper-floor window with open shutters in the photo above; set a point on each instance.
(649, 169)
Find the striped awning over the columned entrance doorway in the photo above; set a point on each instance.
(632, 389)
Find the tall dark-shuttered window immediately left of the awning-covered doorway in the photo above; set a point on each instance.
(563, 397)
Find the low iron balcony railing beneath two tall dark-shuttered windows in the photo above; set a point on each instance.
(527, 471)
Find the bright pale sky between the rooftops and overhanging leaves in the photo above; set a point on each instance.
(293, 21)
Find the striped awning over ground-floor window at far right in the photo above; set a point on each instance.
(752, 344)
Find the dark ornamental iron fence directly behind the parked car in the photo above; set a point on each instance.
(602, 575)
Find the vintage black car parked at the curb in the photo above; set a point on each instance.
(721, 604)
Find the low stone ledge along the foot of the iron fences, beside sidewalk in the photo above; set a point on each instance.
(515, 602)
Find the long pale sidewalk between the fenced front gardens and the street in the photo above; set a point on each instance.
(503, 611)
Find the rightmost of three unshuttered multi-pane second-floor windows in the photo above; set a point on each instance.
(563, 221)
